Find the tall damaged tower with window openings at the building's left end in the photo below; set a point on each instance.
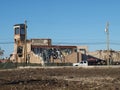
(20, 34)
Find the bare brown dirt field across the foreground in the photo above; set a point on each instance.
(66, 78)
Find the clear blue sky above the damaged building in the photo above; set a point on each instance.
(66, 21)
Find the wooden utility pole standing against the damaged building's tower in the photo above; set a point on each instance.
(25, 43)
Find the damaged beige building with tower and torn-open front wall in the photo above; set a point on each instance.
(41, 50)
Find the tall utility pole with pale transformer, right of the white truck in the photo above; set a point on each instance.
(107, 42)
